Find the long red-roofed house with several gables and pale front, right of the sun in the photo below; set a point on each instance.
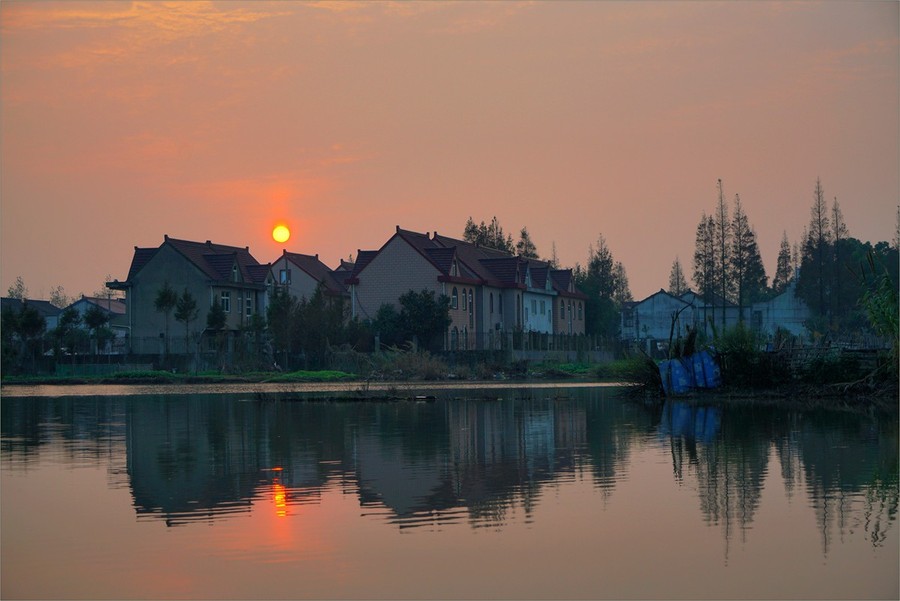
(490, 291)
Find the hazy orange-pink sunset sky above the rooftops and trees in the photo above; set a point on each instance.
(122, 122)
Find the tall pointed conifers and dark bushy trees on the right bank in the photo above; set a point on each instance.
(829, 265)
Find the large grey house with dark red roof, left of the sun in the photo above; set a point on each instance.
(209, 272)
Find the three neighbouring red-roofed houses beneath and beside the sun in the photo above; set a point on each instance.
(490, 291)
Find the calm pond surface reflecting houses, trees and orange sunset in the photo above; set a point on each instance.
(484, 492)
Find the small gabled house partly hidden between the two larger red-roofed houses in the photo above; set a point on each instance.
(300, 275)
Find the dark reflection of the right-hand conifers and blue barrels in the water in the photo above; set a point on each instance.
(848, 461)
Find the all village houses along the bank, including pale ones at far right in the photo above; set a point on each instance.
(492, 293)
